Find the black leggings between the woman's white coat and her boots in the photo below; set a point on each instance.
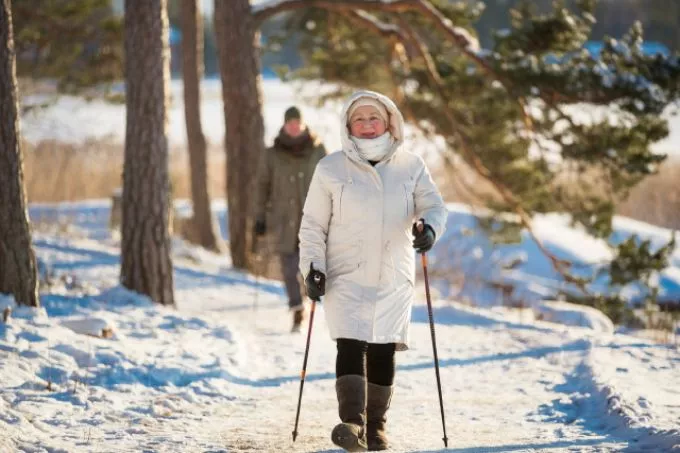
(375, 361)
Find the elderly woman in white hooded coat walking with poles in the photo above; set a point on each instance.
(364, 207)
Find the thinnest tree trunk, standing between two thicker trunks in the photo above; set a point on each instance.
(202, 231)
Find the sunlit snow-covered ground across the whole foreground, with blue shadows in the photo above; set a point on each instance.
(221, 372)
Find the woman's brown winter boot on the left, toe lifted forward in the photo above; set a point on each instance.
(351, 433)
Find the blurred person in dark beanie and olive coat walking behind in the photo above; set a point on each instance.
(283, 178)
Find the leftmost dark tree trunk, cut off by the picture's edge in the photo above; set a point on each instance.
(17, 260)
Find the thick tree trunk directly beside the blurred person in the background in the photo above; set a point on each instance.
(237, 43)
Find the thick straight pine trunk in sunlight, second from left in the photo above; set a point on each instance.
(146, 264)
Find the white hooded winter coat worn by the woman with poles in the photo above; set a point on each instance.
(356, 228)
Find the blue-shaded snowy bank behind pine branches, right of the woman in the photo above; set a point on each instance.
(527, 269)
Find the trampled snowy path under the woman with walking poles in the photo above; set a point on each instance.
(497, 378)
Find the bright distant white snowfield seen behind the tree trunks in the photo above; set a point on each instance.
(74, 120)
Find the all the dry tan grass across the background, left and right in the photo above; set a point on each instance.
(56, 171)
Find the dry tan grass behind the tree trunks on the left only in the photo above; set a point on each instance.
(56, 171)
